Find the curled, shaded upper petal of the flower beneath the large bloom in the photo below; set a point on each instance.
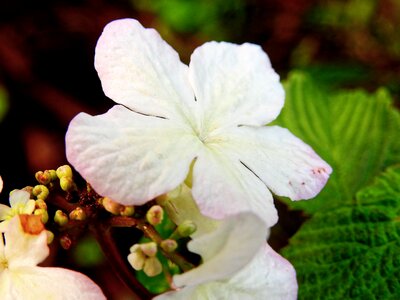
(226, 250)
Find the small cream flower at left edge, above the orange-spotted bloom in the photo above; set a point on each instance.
(20, 203)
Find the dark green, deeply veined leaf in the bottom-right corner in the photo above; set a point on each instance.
(353, 251)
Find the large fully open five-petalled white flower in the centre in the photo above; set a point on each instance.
(212, 111)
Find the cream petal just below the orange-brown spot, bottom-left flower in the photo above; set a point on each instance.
(23, 249)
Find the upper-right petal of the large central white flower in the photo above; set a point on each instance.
(235, 85)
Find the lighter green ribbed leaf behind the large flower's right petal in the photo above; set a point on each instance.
(355, 132)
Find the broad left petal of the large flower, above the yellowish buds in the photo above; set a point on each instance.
(129, 157)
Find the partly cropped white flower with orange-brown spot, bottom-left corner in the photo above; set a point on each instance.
(21, 278)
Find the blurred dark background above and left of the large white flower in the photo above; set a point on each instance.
(47, 49)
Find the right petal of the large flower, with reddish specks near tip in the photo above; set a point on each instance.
(287, 165)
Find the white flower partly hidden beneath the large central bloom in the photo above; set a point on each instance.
(237, 264)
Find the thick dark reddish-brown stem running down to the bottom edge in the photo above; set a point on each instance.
(104, 237)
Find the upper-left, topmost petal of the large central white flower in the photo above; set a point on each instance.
(140, 70)
